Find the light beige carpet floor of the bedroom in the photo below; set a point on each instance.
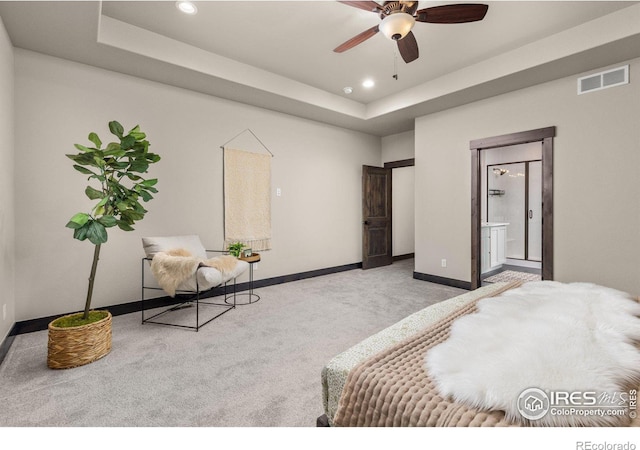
(256, 366)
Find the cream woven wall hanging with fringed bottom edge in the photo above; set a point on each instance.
(247, 199)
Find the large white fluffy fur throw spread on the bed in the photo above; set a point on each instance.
(575, 337)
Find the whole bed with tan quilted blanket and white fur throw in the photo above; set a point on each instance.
(450, 365)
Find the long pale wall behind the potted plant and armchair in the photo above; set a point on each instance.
(316, 222)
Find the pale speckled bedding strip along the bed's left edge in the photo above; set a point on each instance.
(334, 374)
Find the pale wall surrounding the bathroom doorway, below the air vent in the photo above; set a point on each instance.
(596, 193)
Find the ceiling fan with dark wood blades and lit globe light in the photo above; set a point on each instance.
(398, 18)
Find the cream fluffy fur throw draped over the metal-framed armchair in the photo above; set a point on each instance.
(174, 267)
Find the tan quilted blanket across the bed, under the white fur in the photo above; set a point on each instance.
(392, 389)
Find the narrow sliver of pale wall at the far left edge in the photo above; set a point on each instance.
(7, 229)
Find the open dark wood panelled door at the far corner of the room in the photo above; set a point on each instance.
(376, 217)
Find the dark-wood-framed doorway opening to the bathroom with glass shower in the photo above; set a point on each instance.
(495, 153)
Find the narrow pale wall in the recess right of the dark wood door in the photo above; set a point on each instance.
(398, 147)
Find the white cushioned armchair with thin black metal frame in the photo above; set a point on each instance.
(184, 269)
